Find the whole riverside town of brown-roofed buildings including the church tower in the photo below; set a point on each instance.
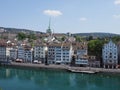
(53, 51)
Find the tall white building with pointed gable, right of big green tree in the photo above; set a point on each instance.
(110, 55)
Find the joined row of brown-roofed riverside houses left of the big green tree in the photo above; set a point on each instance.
(56, 53)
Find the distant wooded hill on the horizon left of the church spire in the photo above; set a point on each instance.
(16, 30)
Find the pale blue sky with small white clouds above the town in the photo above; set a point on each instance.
(74, 16)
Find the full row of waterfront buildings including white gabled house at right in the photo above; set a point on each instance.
(61, 53)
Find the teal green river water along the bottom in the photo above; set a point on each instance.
(25, 79)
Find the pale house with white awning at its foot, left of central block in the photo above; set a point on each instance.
(39, 52)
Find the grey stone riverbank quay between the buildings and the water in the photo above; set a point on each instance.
(62, 67)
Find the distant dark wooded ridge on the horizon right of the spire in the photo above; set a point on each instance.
(96, 34)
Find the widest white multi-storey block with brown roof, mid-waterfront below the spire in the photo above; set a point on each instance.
(60, 53)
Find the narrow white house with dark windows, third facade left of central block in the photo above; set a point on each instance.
(28, 54)
